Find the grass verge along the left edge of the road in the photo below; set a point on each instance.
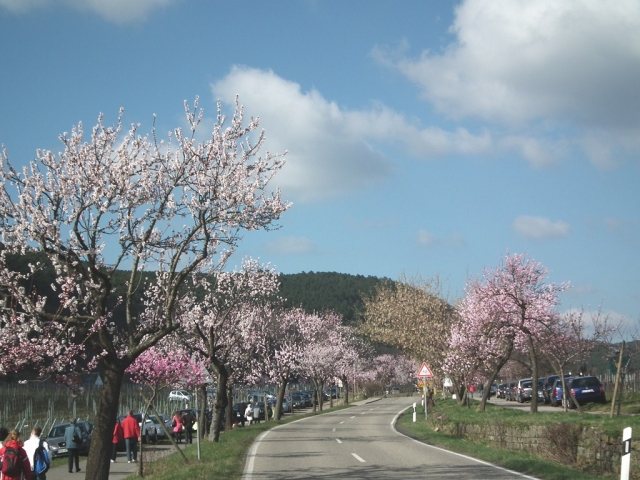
(224, 459)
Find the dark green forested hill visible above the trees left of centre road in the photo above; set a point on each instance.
(320, 291)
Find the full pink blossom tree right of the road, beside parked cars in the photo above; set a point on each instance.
(511, 303)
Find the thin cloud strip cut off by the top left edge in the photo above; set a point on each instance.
(117, 11)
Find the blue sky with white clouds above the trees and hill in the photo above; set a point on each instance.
(423, 138)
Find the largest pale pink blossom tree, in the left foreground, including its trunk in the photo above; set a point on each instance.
(166, 211)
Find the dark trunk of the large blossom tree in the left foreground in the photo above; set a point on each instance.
(98, 462)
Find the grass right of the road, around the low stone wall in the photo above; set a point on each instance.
(537, 466)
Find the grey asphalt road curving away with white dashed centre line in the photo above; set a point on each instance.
(358, 443)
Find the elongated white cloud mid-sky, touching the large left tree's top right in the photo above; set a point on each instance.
(332, 151)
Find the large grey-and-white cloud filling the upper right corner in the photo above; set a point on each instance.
(543, 66)
